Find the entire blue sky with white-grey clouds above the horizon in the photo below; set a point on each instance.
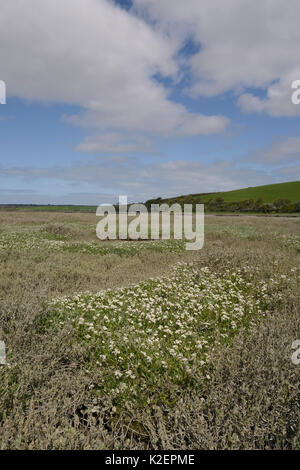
(146, 98)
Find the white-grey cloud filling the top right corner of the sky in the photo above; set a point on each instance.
(242, 44)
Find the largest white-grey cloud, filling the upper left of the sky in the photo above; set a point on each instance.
(98, 56)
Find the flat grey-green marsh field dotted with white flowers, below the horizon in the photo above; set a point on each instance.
(144, 345)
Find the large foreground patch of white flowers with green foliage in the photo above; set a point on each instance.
(164, 330)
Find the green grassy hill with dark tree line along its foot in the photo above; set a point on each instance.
(281, 197)
